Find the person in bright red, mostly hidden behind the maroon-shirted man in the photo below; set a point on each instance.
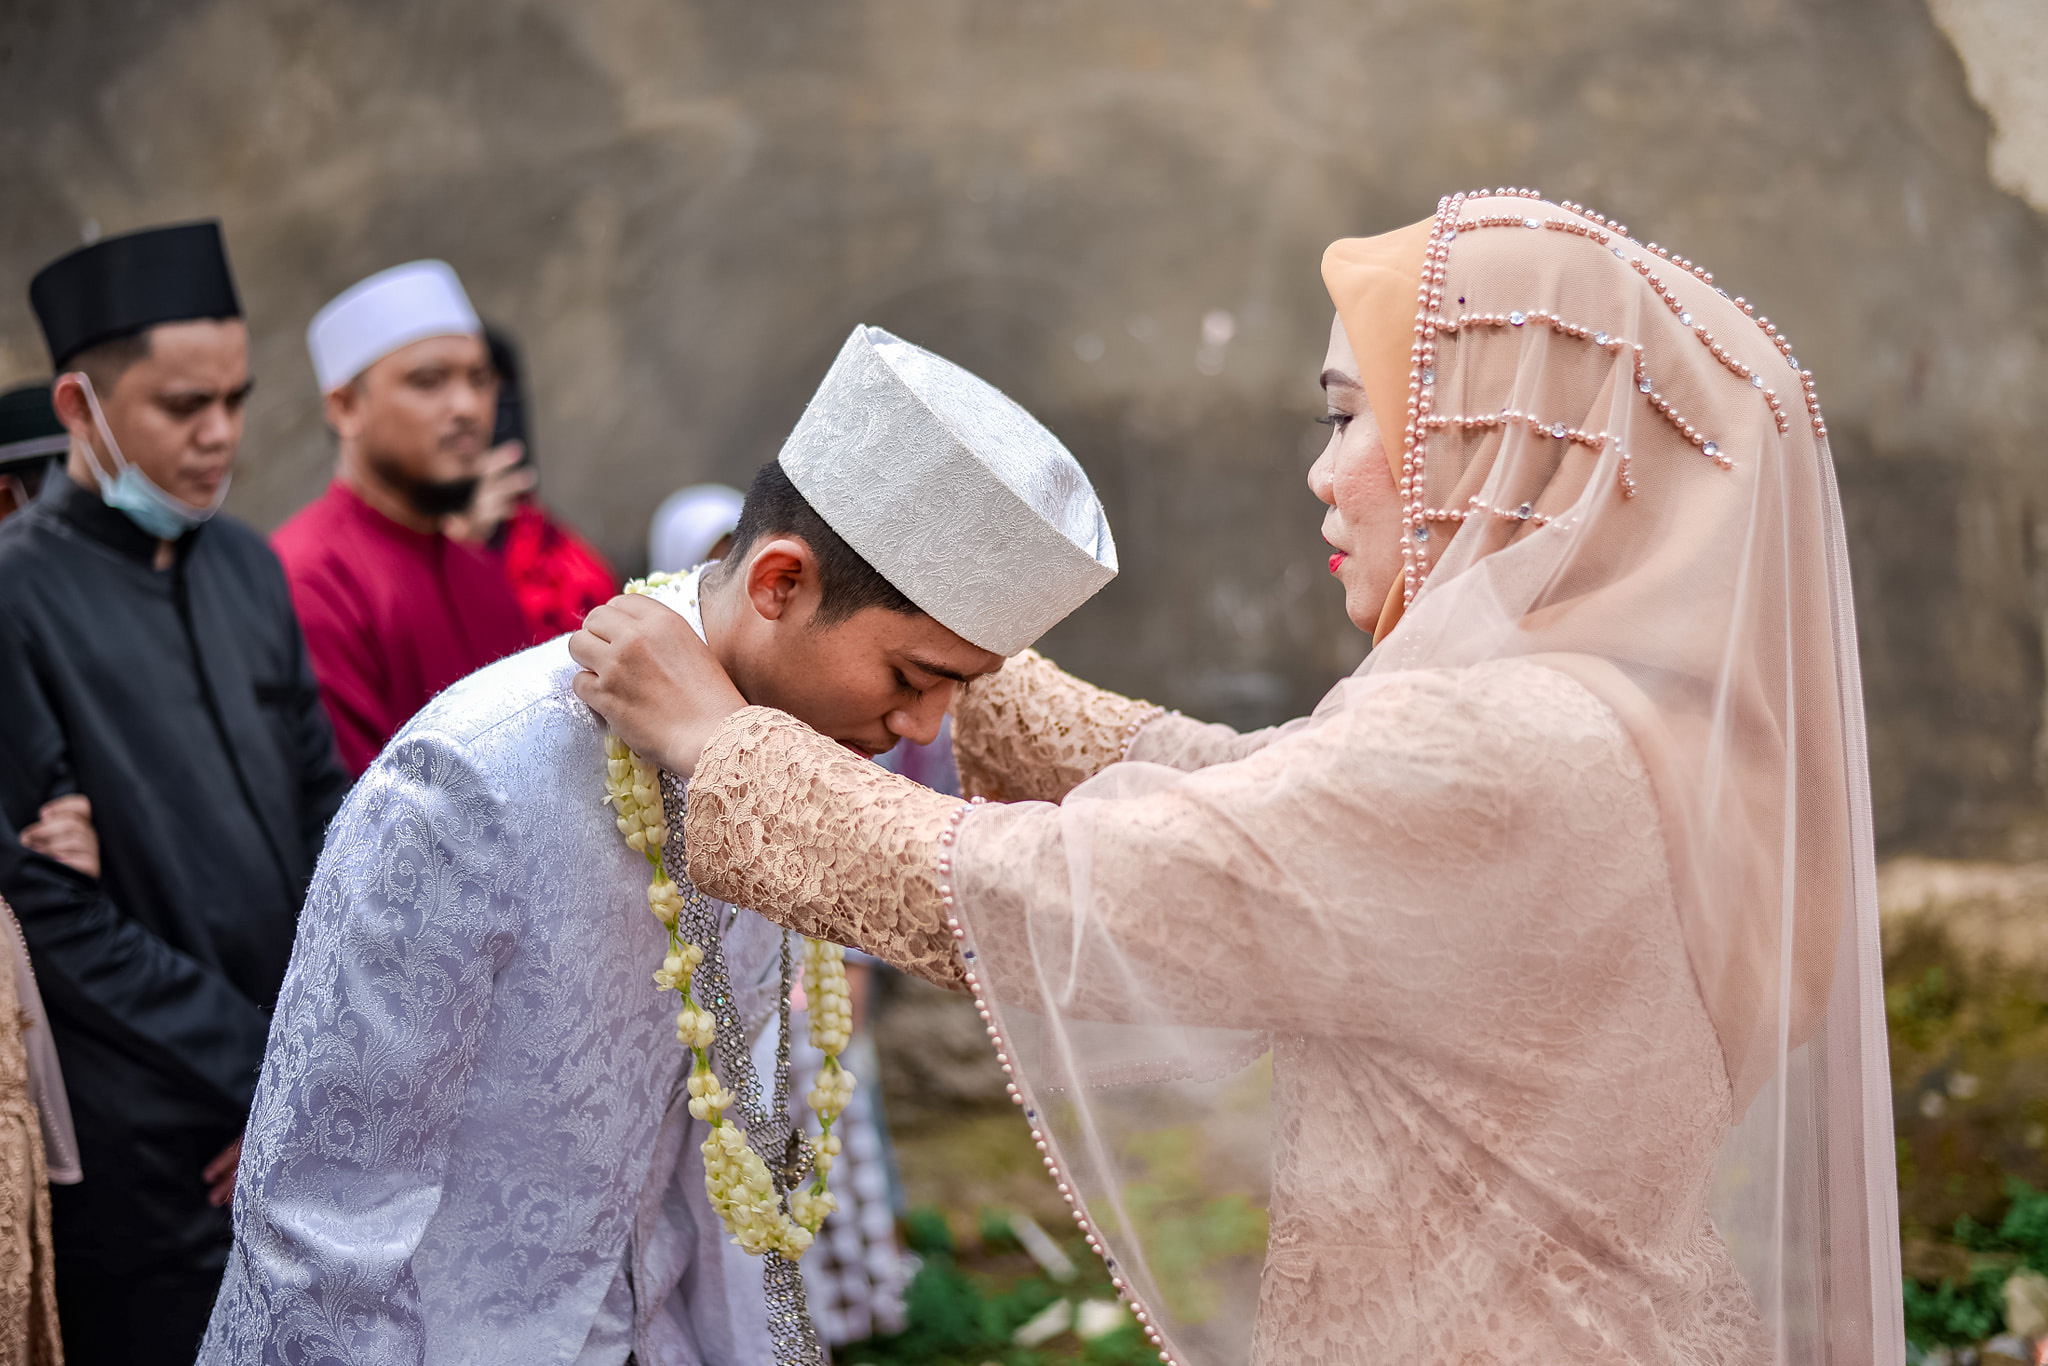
(554, 572)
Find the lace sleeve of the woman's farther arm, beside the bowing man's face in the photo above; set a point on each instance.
(1033, 732)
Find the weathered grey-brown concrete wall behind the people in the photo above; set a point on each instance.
(683, 206)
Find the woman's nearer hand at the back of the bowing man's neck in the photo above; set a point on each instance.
(654, 681)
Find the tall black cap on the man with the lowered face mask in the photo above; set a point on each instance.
(128, 284)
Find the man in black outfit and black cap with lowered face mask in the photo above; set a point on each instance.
(169, 771)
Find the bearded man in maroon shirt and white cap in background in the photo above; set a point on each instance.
(394, 609)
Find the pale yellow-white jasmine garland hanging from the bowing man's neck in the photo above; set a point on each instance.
(736, 1179)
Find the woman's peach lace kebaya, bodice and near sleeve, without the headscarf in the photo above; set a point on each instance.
(1498, 1099)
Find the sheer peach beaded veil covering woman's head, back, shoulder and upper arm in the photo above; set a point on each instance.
(1617, 472)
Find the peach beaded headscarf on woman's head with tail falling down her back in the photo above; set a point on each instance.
(1613, 468)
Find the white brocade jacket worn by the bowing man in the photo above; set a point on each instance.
(472, 1142)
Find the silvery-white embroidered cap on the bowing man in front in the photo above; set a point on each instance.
(953, 493)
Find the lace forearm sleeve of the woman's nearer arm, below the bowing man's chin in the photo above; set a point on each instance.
(835, 847)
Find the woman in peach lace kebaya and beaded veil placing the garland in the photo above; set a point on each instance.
(1523, 1002)
